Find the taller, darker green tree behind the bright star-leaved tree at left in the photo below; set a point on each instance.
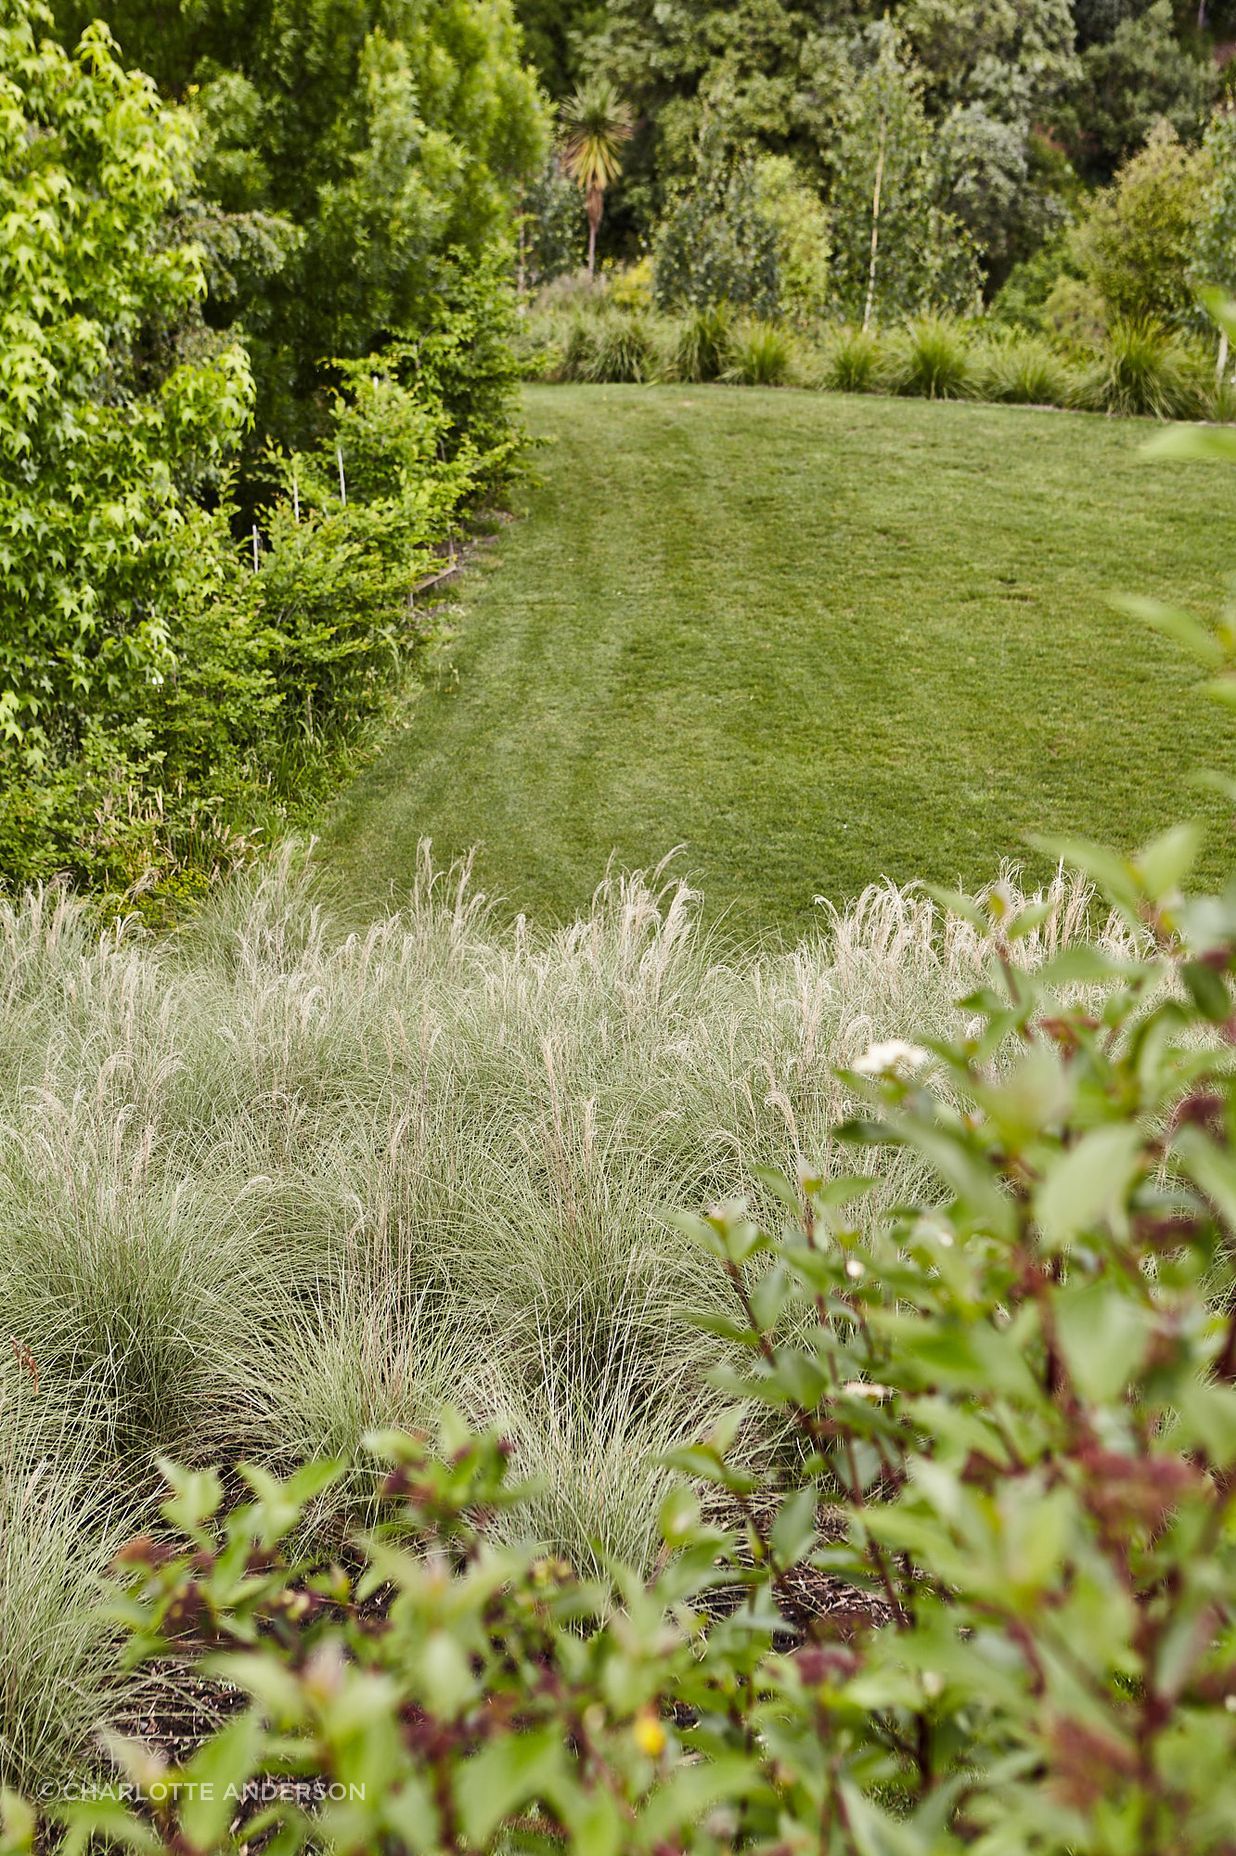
(391, 135)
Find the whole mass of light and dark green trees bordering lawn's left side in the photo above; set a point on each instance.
(257, 368)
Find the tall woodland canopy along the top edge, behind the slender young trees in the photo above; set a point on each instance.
(1024, 101)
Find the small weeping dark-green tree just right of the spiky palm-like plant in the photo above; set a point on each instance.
(717, 244)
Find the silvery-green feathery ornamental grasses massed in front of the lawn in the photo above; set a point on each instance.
(270, 1187)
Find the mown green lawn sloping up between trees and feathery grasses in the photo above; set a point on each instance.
(818, 641)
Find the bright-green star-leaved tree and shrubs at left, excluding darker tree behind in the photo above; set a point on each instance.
(164, 695)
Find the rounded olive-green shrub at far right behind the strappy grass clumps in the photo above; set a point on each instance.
(1137, 244)
